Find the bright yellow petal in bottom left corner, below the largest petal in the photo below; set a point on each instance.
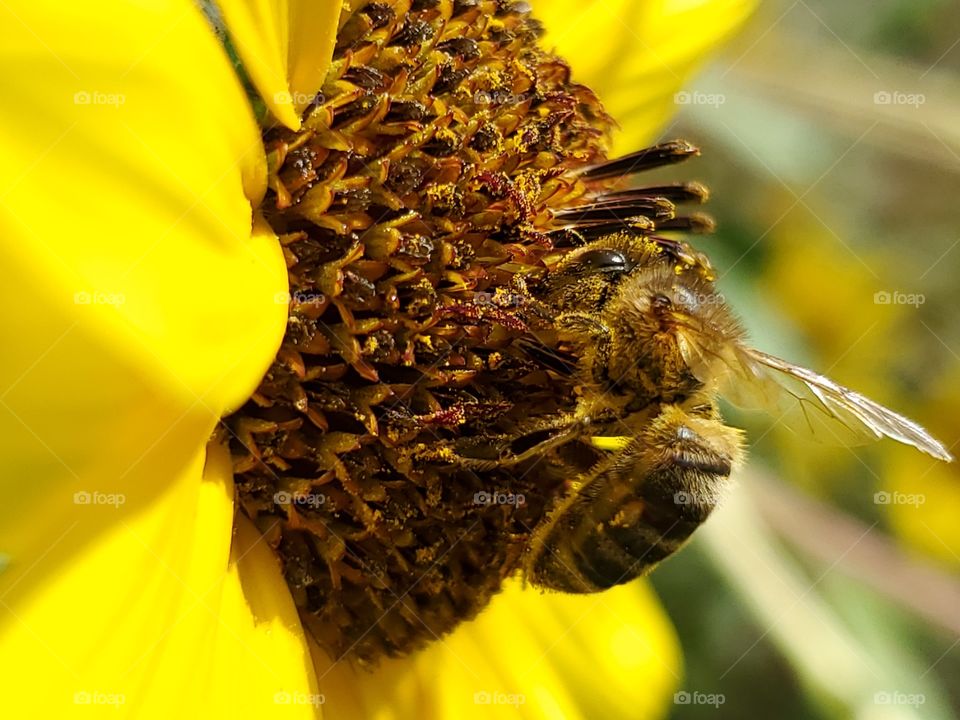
(155, 616)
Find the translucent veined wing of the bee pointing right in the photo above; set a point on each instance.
(805, 400)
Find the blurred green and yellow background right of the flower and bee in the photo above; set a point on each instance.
(829, 585)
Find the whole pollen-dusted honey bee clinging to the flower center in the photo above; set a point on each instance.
(639, 323)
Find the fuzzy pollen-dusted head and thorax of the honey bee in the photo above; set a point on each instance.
(630, 307)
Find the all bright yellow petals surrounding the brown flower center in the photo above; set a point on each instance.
(146, 298)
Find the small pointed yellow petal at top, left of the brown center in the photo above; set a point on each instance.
(286, 47)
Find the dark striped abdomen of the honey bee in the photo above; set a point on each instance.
(636, 507)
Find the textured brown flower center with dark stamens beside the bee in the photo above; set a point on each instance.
(439, 174)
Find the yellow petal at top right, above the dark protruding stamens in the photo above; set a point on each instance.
(636, 54)
